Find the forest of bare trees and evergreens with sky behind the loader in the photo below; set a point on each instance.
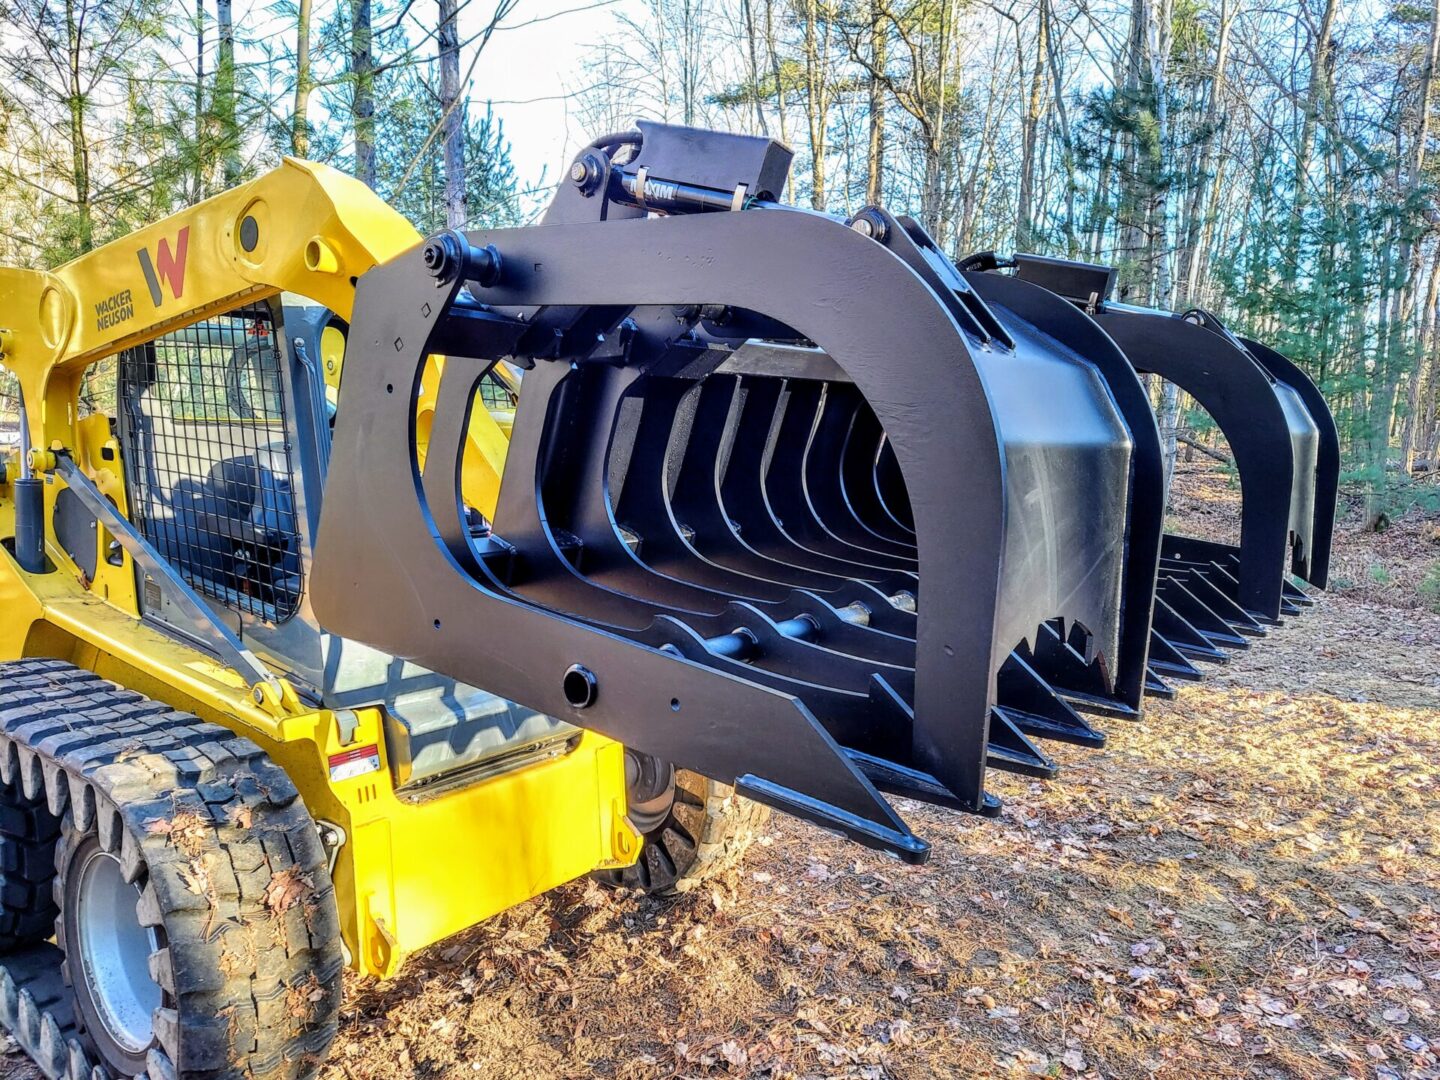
(1271, 163)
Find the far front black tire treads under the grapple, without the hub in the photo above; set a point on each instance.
(706, 832)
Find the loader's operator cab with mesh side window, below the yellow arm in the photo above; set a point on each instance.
(225, 443)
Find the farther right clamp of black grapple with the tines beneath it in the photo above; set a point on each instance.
(1213, 597)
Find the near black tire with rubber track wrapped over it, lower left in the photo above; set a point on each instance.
(212, 829)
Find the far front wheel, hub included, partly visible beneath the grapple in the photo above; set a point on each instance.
(693, 827)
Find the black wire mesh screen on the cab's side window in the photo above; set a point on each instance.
(208, 460)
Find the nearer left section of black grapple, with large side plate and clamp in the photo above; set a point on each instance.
(787, 503)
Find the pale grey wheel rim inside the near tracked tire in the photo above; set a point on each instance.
(114, 953)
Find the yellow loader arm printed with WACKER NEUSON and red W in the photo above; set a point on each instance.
(302, 228)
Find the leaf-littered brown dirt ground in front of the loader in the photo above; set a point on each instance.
(1245, 885)
